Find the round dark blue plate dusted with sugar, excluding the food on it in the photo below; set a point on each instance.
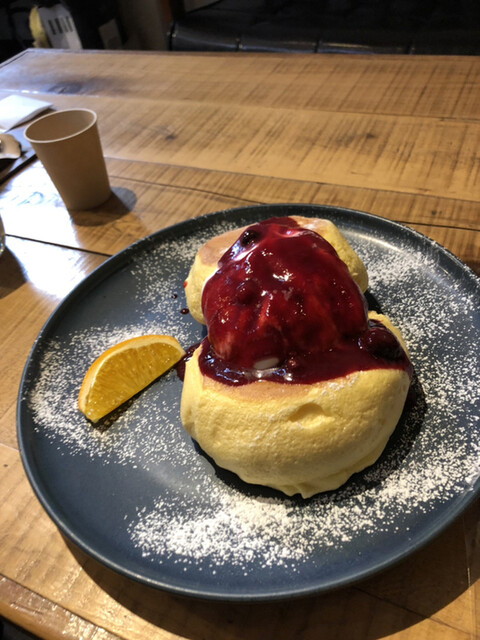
(138, 495)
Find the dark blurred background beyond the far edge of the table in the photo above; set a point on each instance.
(438, 27)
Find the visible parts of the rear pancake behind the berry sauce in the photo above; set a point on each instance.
(207, 257)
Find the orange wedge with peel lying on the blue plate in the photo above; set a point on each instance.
(123, 370)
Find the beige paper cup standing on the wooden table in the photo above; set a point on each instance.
(68, 145)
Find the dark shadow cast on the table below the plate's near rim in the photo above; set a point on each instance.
(399, 598)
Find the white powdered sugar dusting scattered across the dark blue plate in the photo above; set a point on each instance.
(204, 520)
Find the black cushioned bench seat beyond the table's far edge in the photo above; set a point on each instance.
(363, 26)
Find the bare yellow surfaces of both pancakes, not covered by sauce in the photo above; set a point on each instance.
(297, 438)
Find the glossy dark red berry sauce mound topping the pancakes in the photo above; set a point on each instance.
(282, 306)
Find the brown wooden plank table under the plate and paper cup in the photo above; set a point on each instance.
(188, 134)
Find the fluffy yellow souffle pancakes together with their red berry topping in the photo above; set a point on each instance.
(297, 385)
